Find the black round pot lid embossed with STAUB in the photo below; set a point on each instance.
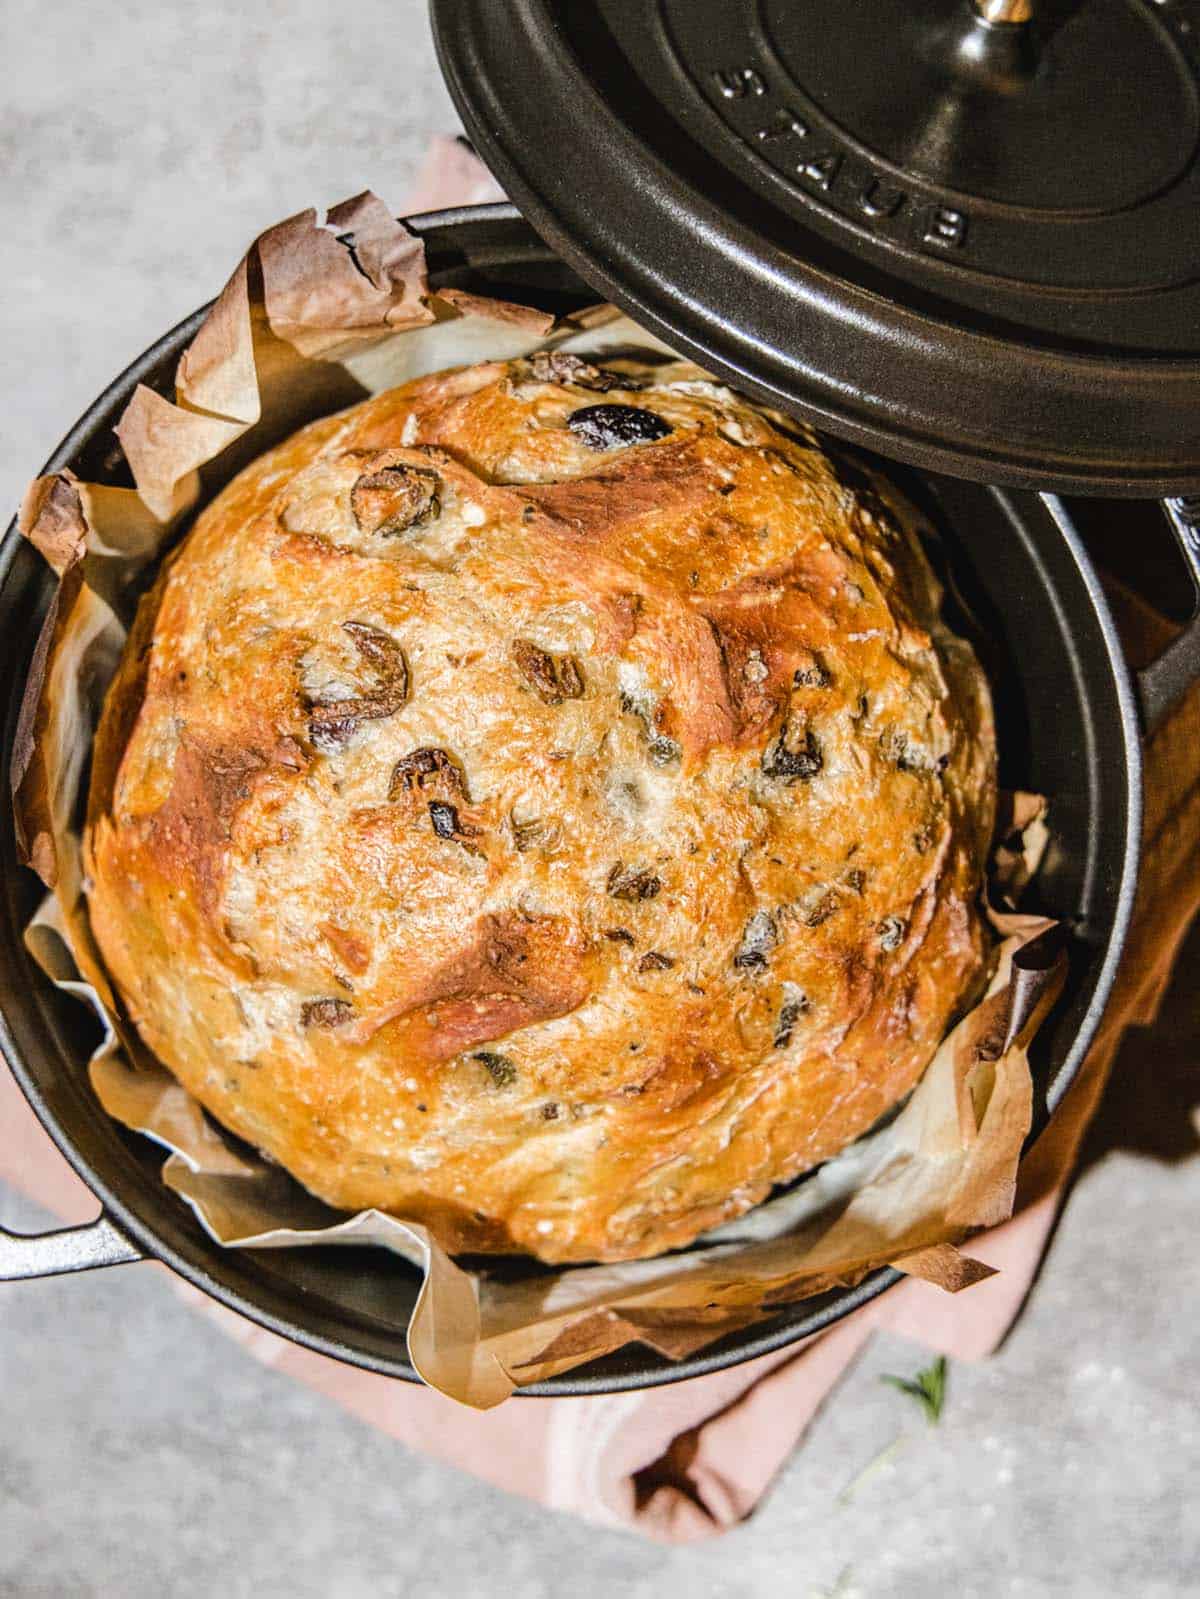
(962, 233)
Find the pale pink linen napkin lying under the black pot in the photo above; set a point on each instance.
(692, 1459)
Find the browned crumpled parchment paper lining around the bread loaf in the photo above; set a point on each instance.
(322, 313)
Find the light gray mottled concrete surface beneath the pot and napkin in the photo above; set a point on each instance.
(140, 1453)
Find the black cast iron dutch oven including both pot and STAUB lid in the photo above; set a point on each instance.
(948, 233)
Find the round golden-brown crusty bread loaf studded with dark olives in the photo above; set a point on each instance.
(545, 803)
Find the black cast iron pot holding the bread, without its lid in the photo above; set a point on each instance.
(1070, 727)
